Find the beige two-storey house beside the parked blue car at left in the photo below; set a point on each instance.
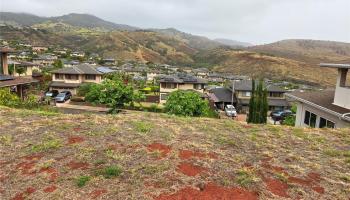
(70, 78)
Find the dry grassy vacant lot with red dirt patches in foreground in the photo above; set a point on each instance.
(156, 156)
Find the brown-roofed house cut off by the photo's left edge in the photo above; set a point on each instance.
(19, 85)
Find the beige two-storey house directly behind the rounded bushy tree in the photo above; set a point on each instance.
(170, 84)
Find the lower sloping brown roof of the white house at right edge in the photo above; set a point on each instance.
(323, 99)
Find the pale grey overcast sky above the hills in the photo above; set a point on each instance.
(254, 21)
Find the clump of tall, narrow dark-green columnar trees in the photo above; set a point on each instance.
(258, 104)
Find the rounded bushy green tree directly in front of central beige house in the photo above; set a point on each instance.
(186, 103)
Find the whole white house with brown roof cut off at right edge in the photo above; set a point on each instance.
(328, 108)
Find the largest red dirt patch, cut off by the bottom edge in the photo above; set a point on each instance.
(210, 192)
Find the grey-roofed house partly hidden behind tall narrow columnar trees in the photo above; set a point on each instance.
(243, 91)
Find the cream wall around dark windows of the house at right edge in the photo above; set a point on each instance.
(300, 116)
